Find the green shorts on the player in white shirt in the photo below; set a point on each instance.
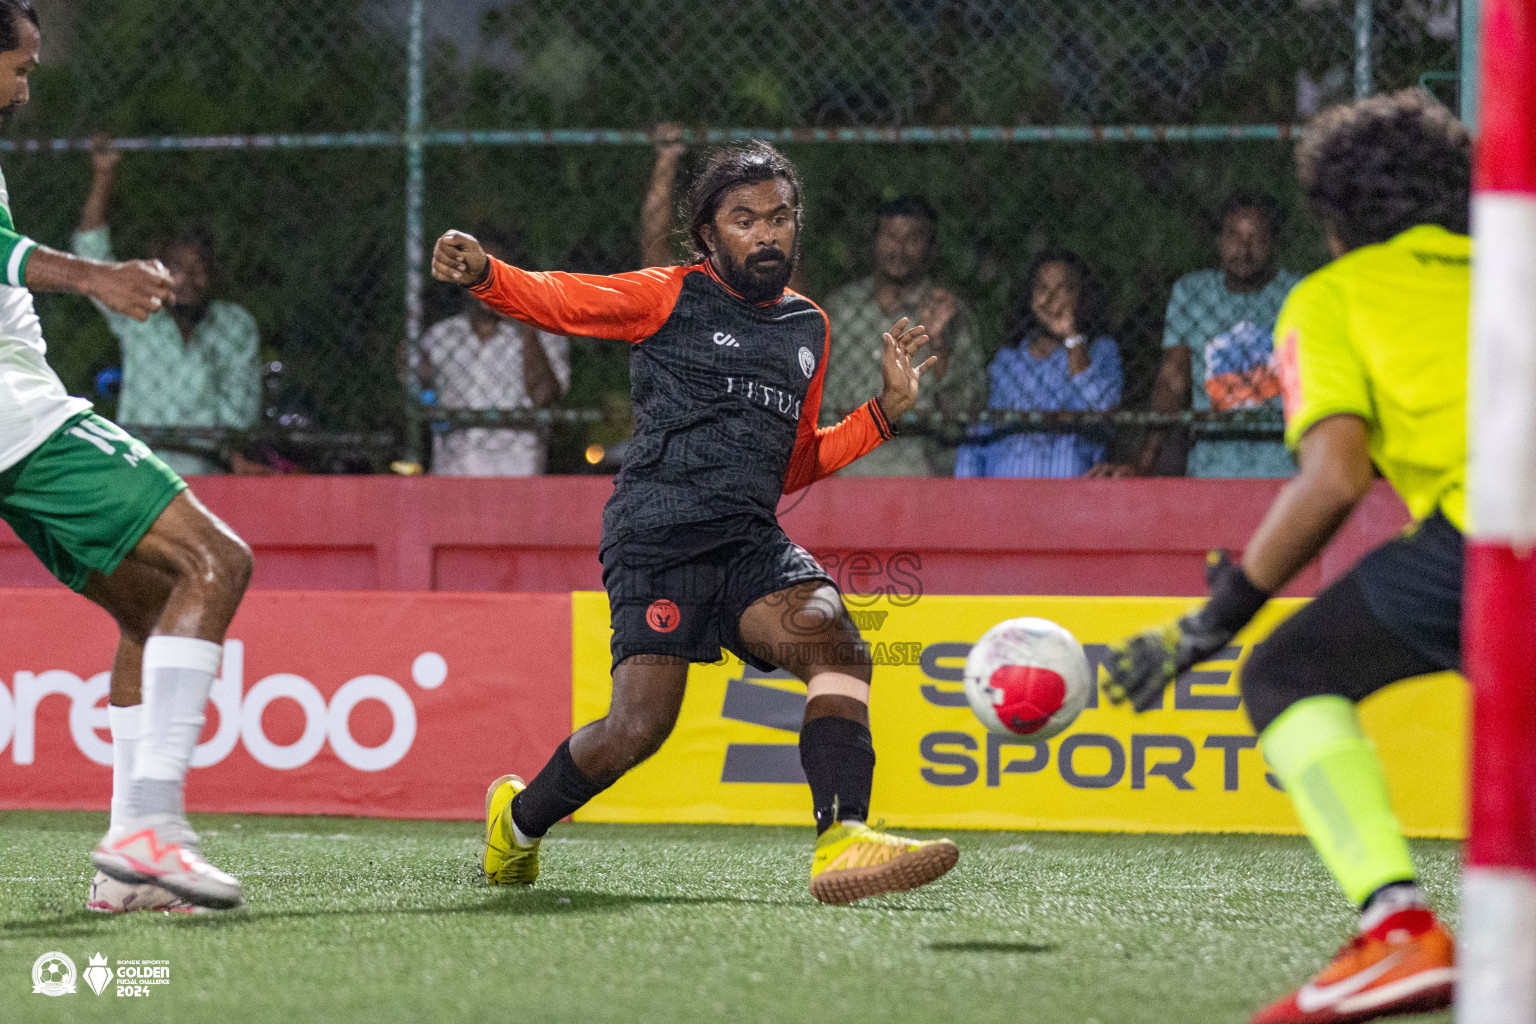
(84, 498)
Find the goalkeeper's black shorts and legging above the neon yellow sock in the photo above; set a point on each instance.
(1394, 616)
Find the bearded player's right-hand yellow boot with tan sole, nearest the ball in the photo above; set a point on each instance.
(855, 862)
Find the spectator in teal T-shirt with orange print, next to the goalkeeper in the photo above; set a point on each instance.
(1219, 346)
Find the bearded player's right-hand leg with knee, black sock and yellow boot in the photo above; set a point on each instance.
(807, 632)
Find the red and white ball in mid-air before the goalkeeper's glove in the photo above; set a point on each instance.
(1028, 678)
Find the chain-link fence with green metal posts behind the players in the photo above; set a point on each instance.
(311, 153)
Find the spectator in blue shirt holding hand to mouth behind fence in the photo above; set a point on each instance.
(1059, 358)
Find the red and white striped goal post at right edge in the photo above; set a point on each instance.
(1498, 917)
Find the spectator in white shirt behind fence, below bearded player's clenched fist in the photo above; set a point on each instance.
(482, 360)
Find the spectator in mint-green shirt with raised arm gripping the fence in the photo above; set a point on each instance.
(194, 365)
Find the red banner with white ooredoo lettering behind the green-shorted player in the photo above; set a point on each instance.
(372, 704)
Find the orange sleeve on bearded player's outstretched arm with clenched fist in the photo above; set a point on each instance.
(624, 306)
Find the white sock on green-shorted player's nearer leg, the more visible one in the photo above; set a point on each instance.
(179, 672)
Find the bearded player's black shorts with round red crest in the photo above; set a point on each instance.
(683, 590)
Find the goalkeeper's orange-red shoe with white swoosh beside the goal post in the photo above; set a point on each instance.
(1405, 965)
